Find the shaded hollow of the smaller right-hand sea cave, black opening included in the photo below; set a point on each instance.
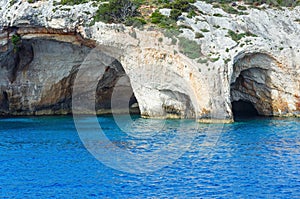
(251, 86)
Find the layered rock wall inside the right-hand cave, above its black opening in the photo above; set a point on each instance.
(259, 79)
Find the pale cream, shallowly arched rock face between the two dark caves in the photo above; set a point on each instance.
(161, 87)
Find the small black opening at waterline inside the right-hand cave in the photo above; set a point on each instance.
(243, 109)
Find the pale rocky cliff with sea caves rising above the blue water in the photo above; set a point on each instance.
(216, 59)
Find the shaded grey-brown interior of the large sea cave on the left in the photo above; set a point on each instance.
(36, 56)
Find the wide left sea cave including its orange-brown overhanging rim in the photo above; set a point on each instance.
(51, 62)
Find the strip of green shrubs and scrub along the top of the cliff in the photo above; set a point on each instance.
(139, 12)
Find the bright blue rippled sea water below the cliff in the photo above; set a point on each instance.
(44, 157)
